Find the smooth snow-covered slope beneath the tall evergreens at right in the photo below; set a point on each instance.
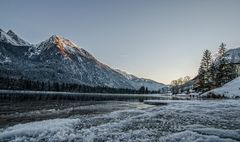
(229, 90)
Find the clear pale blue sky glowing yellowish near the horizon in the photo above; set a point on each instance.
(158, 39)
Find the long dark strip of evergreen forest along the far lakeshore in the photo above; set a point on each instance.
(25, 84)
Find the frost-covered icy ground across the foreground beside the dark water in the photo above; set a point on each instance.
(193, 120)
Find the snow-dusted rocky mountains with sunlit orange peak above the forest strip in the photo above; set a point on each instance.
(60, 60)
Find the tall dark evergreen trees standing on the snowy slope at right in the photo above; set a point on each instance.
(213, 74)
